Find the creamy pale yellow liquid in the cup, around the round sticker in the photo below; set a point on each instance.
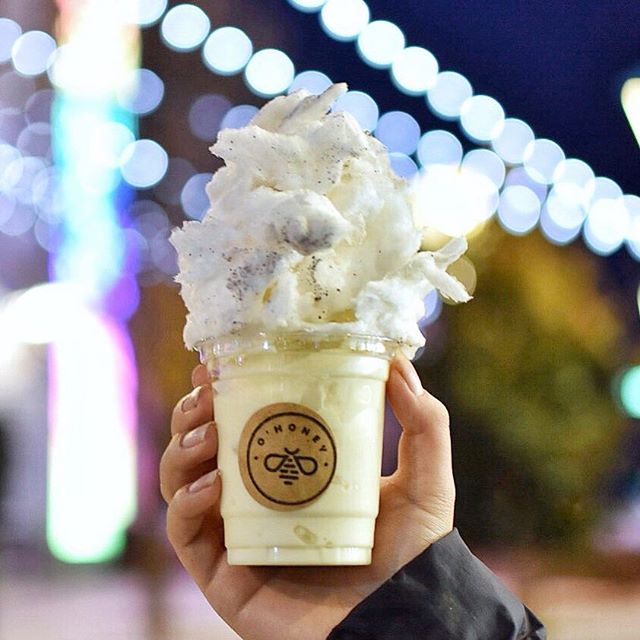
(347, 389)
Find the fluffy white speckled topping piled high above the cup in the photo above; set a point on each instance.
(309, 229)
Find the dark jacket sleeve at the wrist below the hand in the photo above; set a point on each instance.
(445, 593)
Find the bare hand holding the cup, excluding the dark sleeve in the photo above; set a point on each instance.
(416, 509)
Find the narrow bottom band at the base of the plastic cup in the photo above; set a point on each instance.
(296, 556)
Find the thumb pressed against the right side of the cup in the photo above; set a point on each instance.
(424, 452)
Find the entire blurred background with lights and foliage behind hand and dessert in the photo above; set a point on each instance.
(518, 125)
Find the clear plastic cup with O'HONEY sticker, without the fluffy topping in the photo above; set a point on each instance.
(300, 420)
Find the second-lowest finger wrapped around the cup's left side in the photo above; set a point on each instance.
(188, 456)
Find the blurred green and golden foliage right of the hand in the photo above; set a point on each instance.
(526, 375)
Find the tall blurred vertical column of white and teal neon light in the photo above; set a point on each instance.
(92, 488)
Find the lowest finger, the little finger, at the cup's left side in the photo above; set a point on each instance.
(194, 516)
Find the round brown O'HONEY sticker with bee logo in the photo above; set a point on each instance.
(287, 456)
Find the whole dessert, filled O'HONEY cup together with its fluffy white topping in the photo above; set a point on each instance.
(301, 280)
